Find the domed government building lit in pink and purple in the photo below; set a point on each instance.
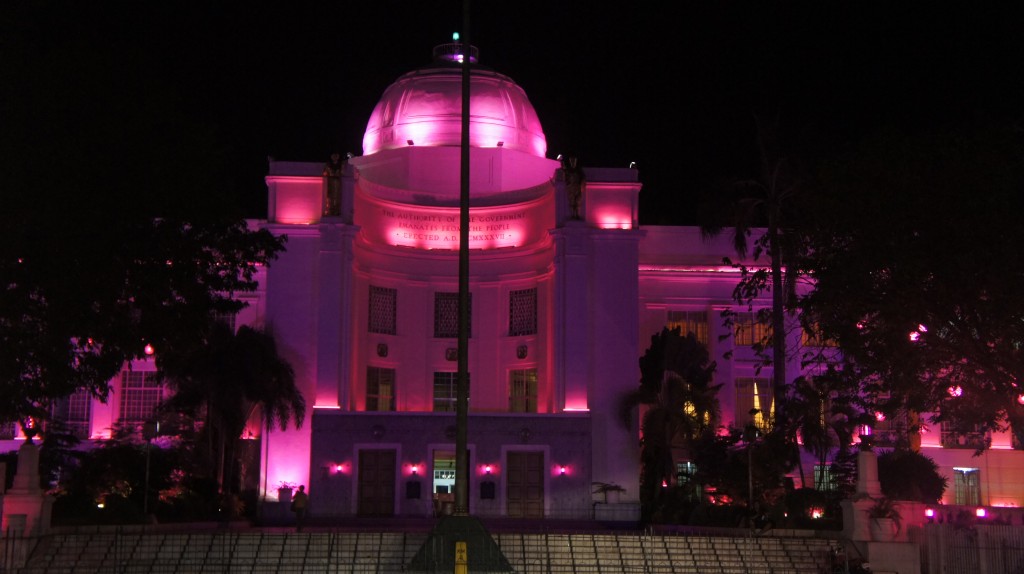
(567, 290)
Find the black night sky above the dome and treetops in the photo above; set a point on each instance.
(674, 87)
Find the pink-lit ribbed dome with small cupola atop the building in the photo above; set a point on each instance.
(424, 108)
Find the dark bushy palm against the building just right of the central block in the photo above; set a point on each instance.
(676, 386)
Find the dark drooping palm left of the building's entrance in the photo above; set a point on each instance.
(226, 379)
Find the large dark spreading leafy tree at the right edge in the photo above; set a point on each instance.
(917, 282)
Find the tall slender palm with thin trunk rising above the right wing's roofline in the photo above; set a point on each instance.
(767, 202)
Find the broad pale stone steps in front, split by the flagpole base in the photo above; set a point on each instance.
(253, 552)
